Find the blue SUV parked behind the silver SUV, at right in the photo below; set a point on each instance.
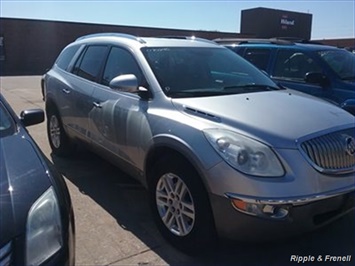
(323, 71)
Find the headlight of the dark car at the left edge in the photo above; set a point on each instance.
(43, 229)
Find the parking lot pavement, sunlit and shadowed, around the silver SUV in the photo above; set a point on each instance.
(113, 219)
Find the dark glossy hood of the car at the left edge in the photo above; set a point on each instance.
(23, 179)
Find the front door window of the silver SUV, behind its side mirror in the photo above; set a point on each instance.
(120, 62)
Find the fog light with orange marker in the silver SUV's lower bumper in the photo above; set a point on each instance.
(261, 210)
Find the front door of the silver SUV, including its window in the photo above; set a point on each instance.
(119, 118)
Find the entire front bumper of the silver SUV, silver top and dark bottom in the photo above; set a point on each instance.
(262, 209)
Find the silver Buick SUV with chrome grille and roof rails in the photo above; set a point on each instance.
(222, 150)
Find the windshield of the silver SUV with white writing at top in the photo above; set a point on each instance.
(199, 72)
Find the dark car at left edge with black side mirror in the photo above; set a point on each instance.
(37, 221)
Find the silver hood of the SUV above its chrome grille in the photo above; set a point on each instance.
(277, 118)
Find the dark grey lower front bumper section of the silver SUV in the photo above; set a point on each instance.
(303, 215)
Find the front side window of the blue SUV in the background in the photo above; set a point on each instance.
(291, 64)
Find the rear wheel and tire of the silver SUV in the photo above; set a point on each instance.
(58, 139)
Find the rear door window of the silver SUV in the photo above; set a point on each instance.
(89, 64)
